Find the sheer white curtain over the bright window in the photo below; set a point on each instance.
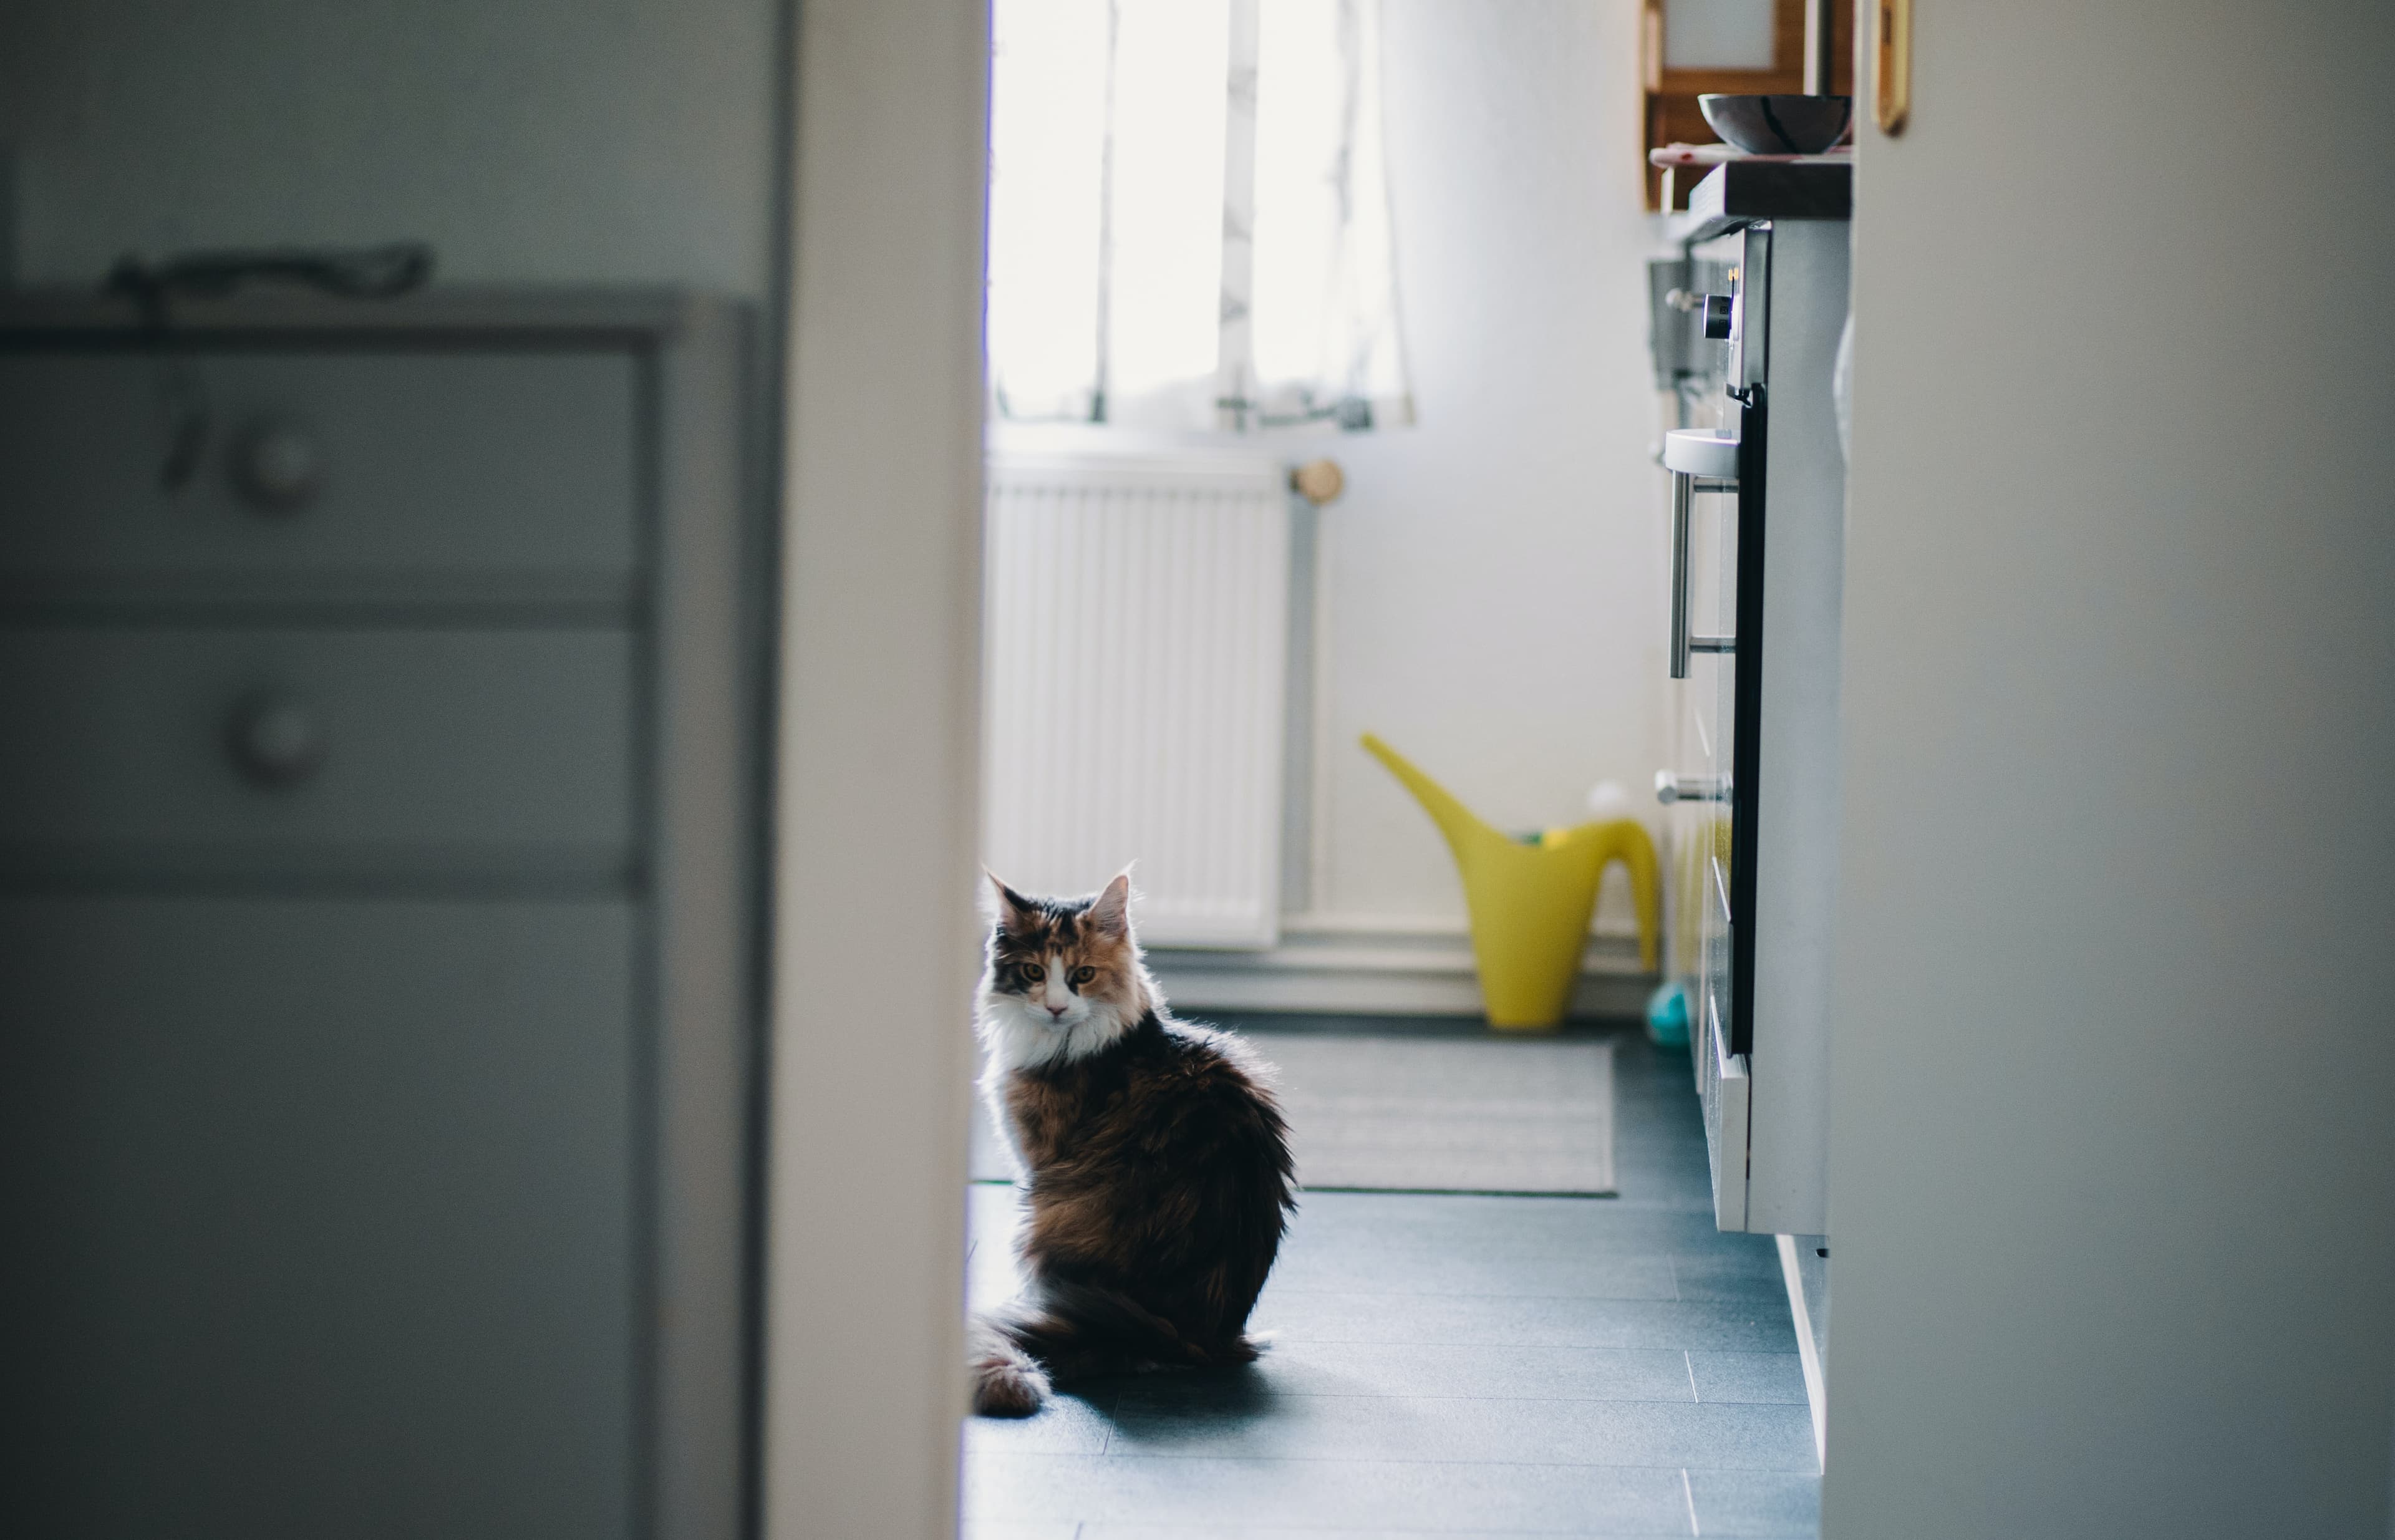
(1189, 217)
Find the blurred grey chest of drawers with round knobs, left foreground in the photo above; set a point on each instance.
(377, 918)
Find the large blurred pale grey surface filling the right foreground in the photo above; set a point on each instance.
(2114, 1129)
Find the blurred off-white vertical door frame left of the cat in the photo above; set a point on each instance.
(878, 772)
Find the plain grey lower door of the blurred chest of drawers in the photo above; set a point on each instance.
(322, 1218)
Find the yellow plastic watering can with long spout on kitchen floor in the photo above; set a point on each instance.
(1532, 899)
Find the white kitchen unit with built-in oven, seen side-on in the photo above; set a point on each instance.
(1759, 499)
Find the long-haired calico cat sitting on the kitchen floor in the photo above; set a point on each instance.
(1156, 1165)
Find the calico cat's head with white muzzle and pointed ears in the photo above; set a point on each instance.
(1065, 974)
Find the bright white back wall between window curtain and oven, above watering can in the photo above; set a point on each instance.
(1498, 571)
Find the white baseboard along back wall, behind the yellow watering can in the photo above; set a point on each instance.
(1388, 971)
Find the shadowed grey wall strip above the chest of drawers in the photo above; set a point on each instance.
(528, 140)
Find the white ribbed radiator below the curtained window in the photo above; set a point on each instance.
(1134, 650)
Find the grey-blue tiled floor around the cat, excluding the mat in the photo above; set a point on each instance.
(1491, 1366)
